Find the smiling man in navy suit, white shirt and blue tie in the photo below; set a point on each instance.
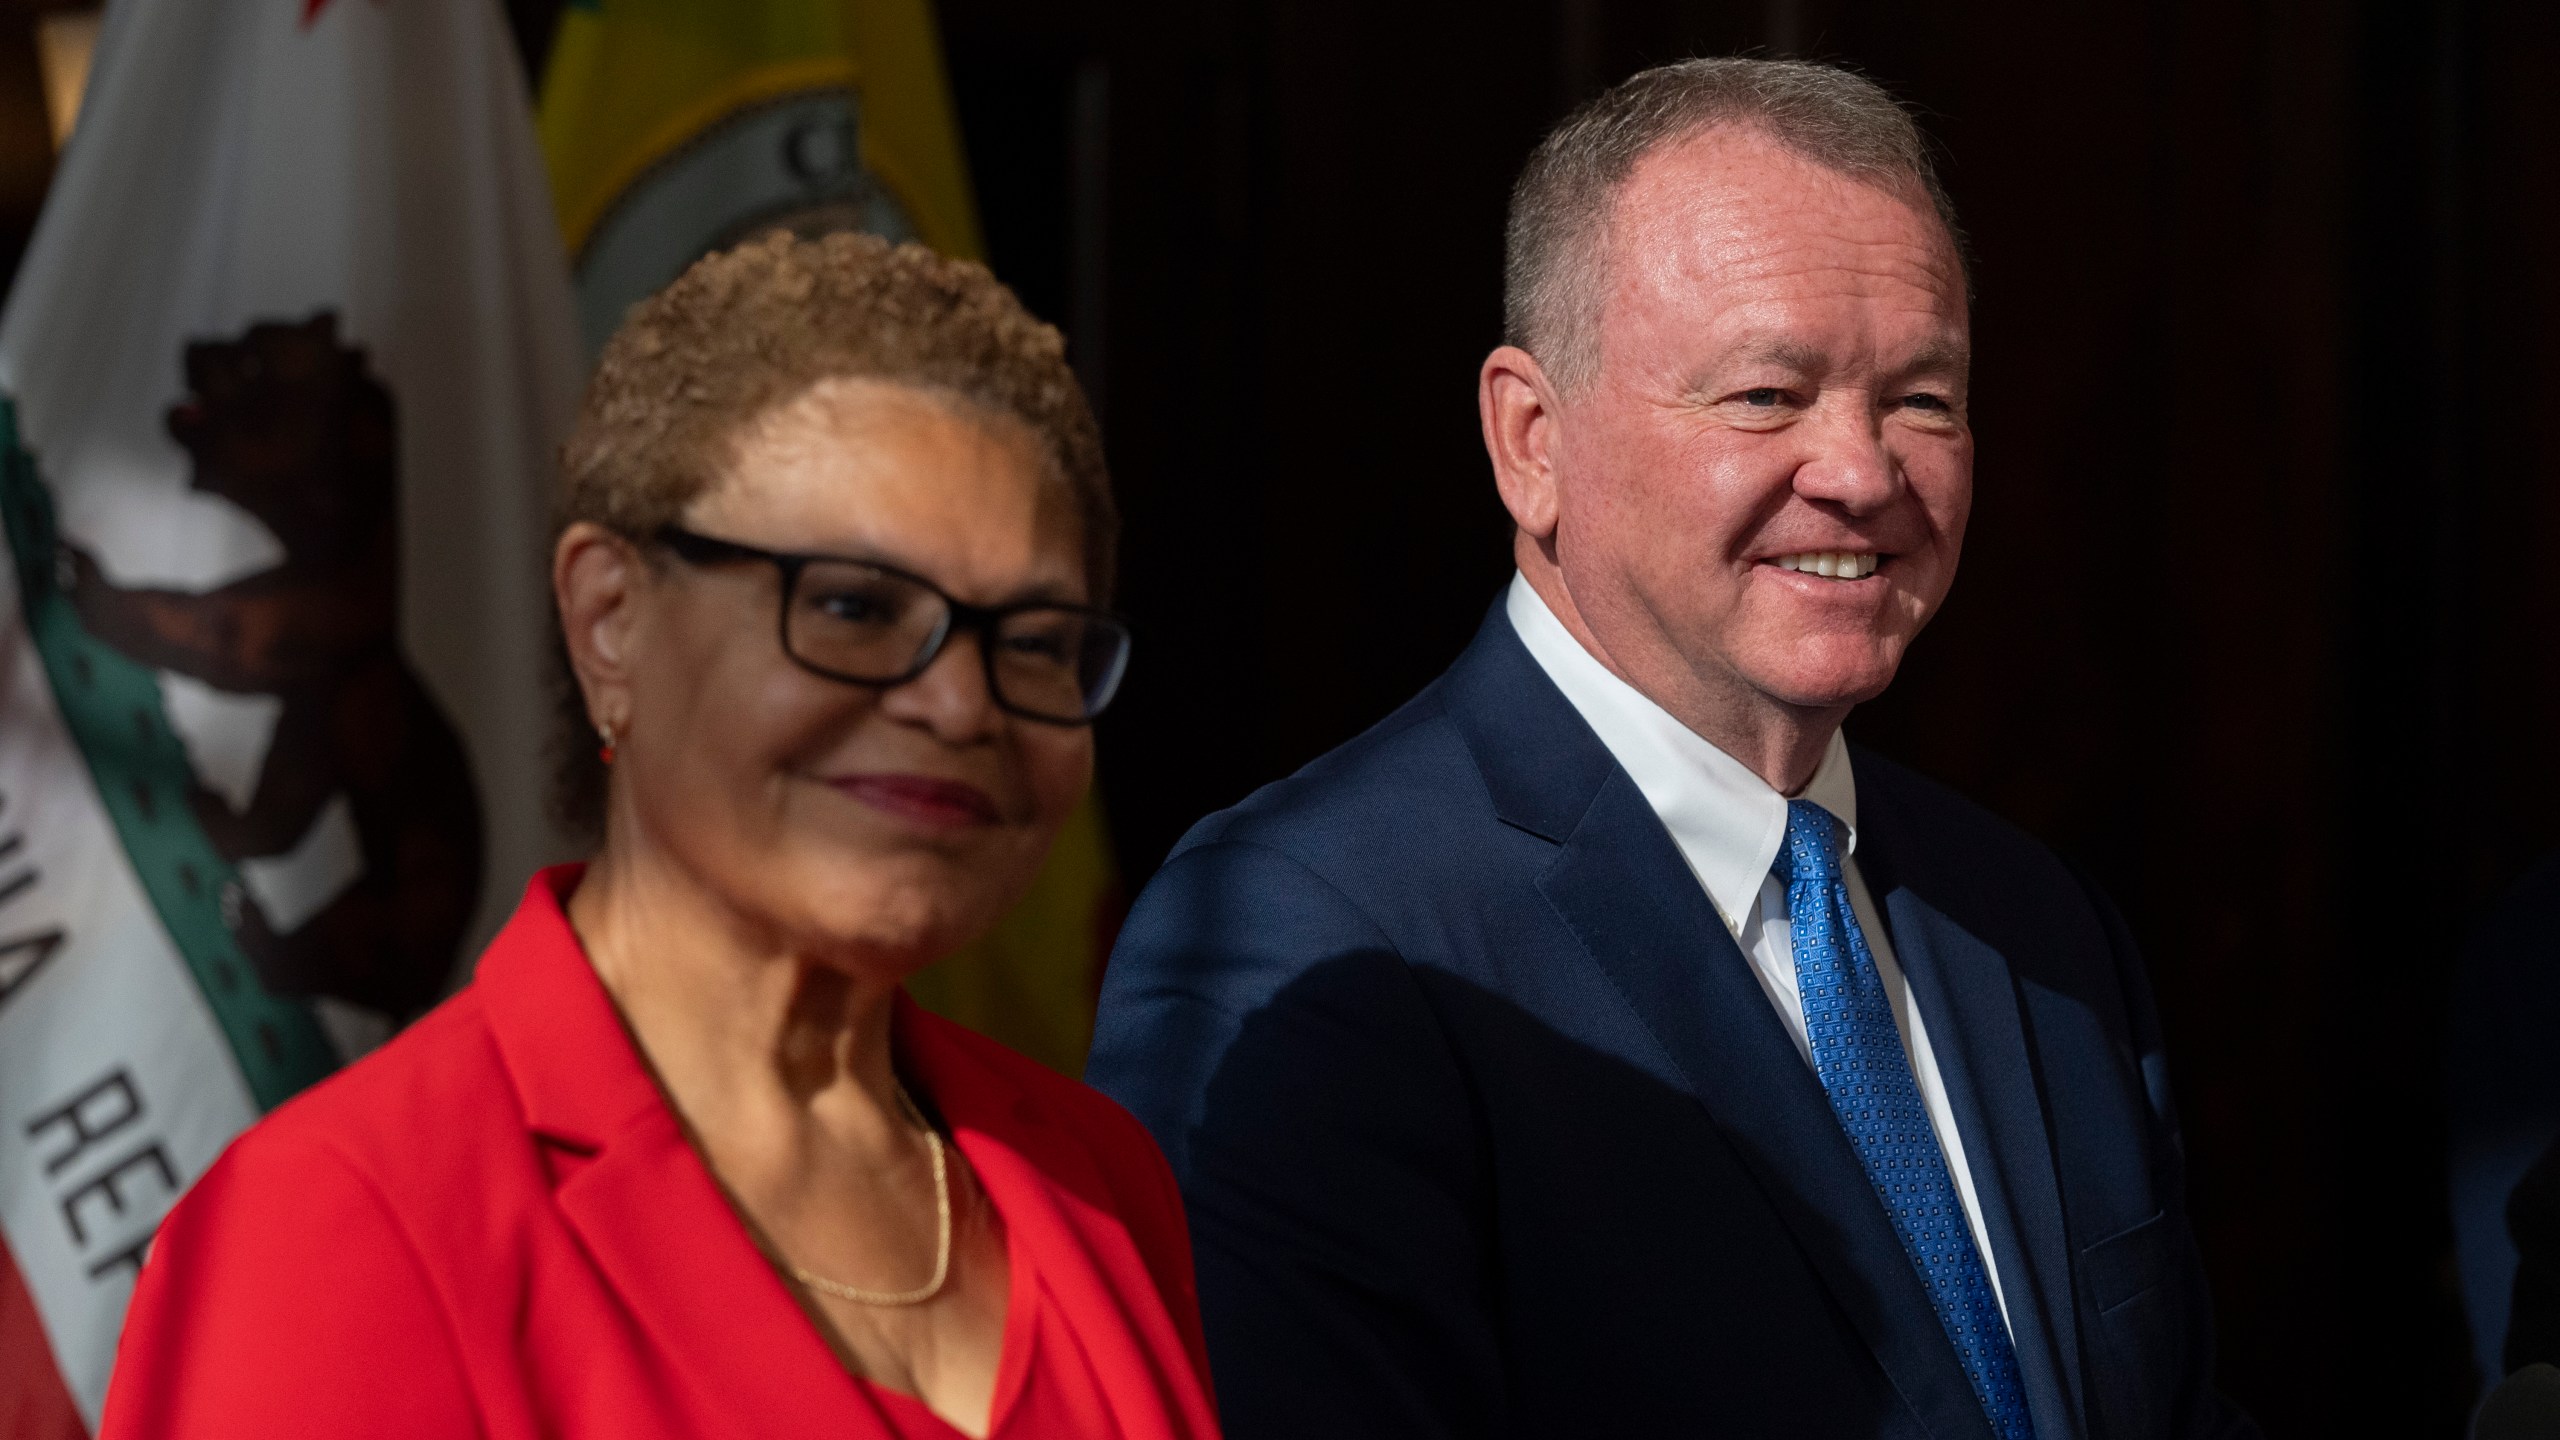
(1601, 1047)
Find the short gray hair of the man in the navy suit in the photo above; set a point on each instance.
(1560, 209)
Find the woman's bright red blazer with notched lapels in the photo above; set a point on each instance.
(495, 1229)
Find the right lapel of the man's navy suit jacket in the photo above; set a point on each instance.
(1970, 1003)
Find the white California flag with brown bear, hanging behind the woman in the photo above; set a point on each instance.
(280, 386)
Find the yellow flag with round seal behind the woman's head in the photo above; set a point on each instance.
(685, 127)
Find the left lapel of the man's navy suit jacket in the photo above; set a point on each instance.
(1645, 921)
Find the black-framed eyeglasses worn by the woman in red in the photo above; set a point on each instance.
(879, 626)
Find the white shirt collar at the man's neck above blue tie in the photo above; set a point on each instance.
(1724, 819)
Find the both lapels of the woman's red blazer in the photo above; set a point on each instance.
(698, 1290)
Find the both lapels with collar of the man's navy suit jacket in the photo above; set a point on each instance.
(1624, 890)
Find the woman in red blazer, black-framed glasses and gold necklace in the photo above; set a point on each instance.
(682, 1159)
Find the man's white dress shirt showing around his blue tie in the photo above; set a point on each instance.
(1729, 826)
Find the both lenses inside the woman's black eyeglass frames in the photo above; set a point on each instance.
(872, 626)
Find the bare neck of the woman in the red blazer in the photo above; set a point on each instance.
(759, 1047)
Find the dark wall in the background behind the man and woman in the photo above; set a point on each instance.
(2254, 619)
